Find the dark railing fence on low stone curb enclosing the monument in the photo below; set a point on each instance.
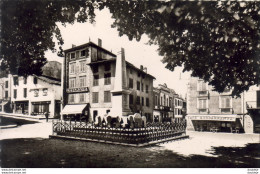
(153, 133)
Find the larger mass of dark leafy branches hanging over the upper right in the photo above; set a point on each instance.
(217, 41)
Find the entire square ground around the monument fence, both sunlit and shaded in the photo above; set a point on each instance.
(28, 146)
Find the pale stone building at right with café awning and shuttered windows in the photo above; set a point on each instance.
(209, 110)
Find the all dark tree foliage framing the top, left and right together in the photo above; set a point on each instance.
(216, 41)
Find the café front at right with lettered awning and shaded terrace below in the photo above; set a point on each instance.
(216, 123)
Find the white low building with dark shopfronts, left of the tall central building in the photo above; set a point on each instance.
(36, 95)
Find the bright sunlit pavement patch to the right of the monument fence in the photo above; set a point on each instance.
(201, 143)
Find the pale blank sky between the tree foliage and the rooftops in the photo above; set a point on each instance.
(137, 53)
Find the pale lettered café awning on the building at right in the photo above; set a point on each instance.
(213, 117)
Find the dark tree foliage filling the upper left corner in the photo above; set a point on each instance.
(29, 28)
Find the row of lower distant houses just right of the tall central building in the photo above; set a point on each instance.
(167, 103)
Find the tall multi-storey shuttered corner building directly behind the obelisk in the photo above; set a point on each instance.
(97, 82)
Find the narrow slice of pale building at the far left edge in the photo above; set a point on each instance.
(5, 94)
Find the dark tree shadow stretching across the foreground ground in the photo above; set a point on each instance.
(53, 153)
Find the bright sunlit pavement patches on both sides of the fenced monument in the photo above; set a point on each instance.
(199, 143)
